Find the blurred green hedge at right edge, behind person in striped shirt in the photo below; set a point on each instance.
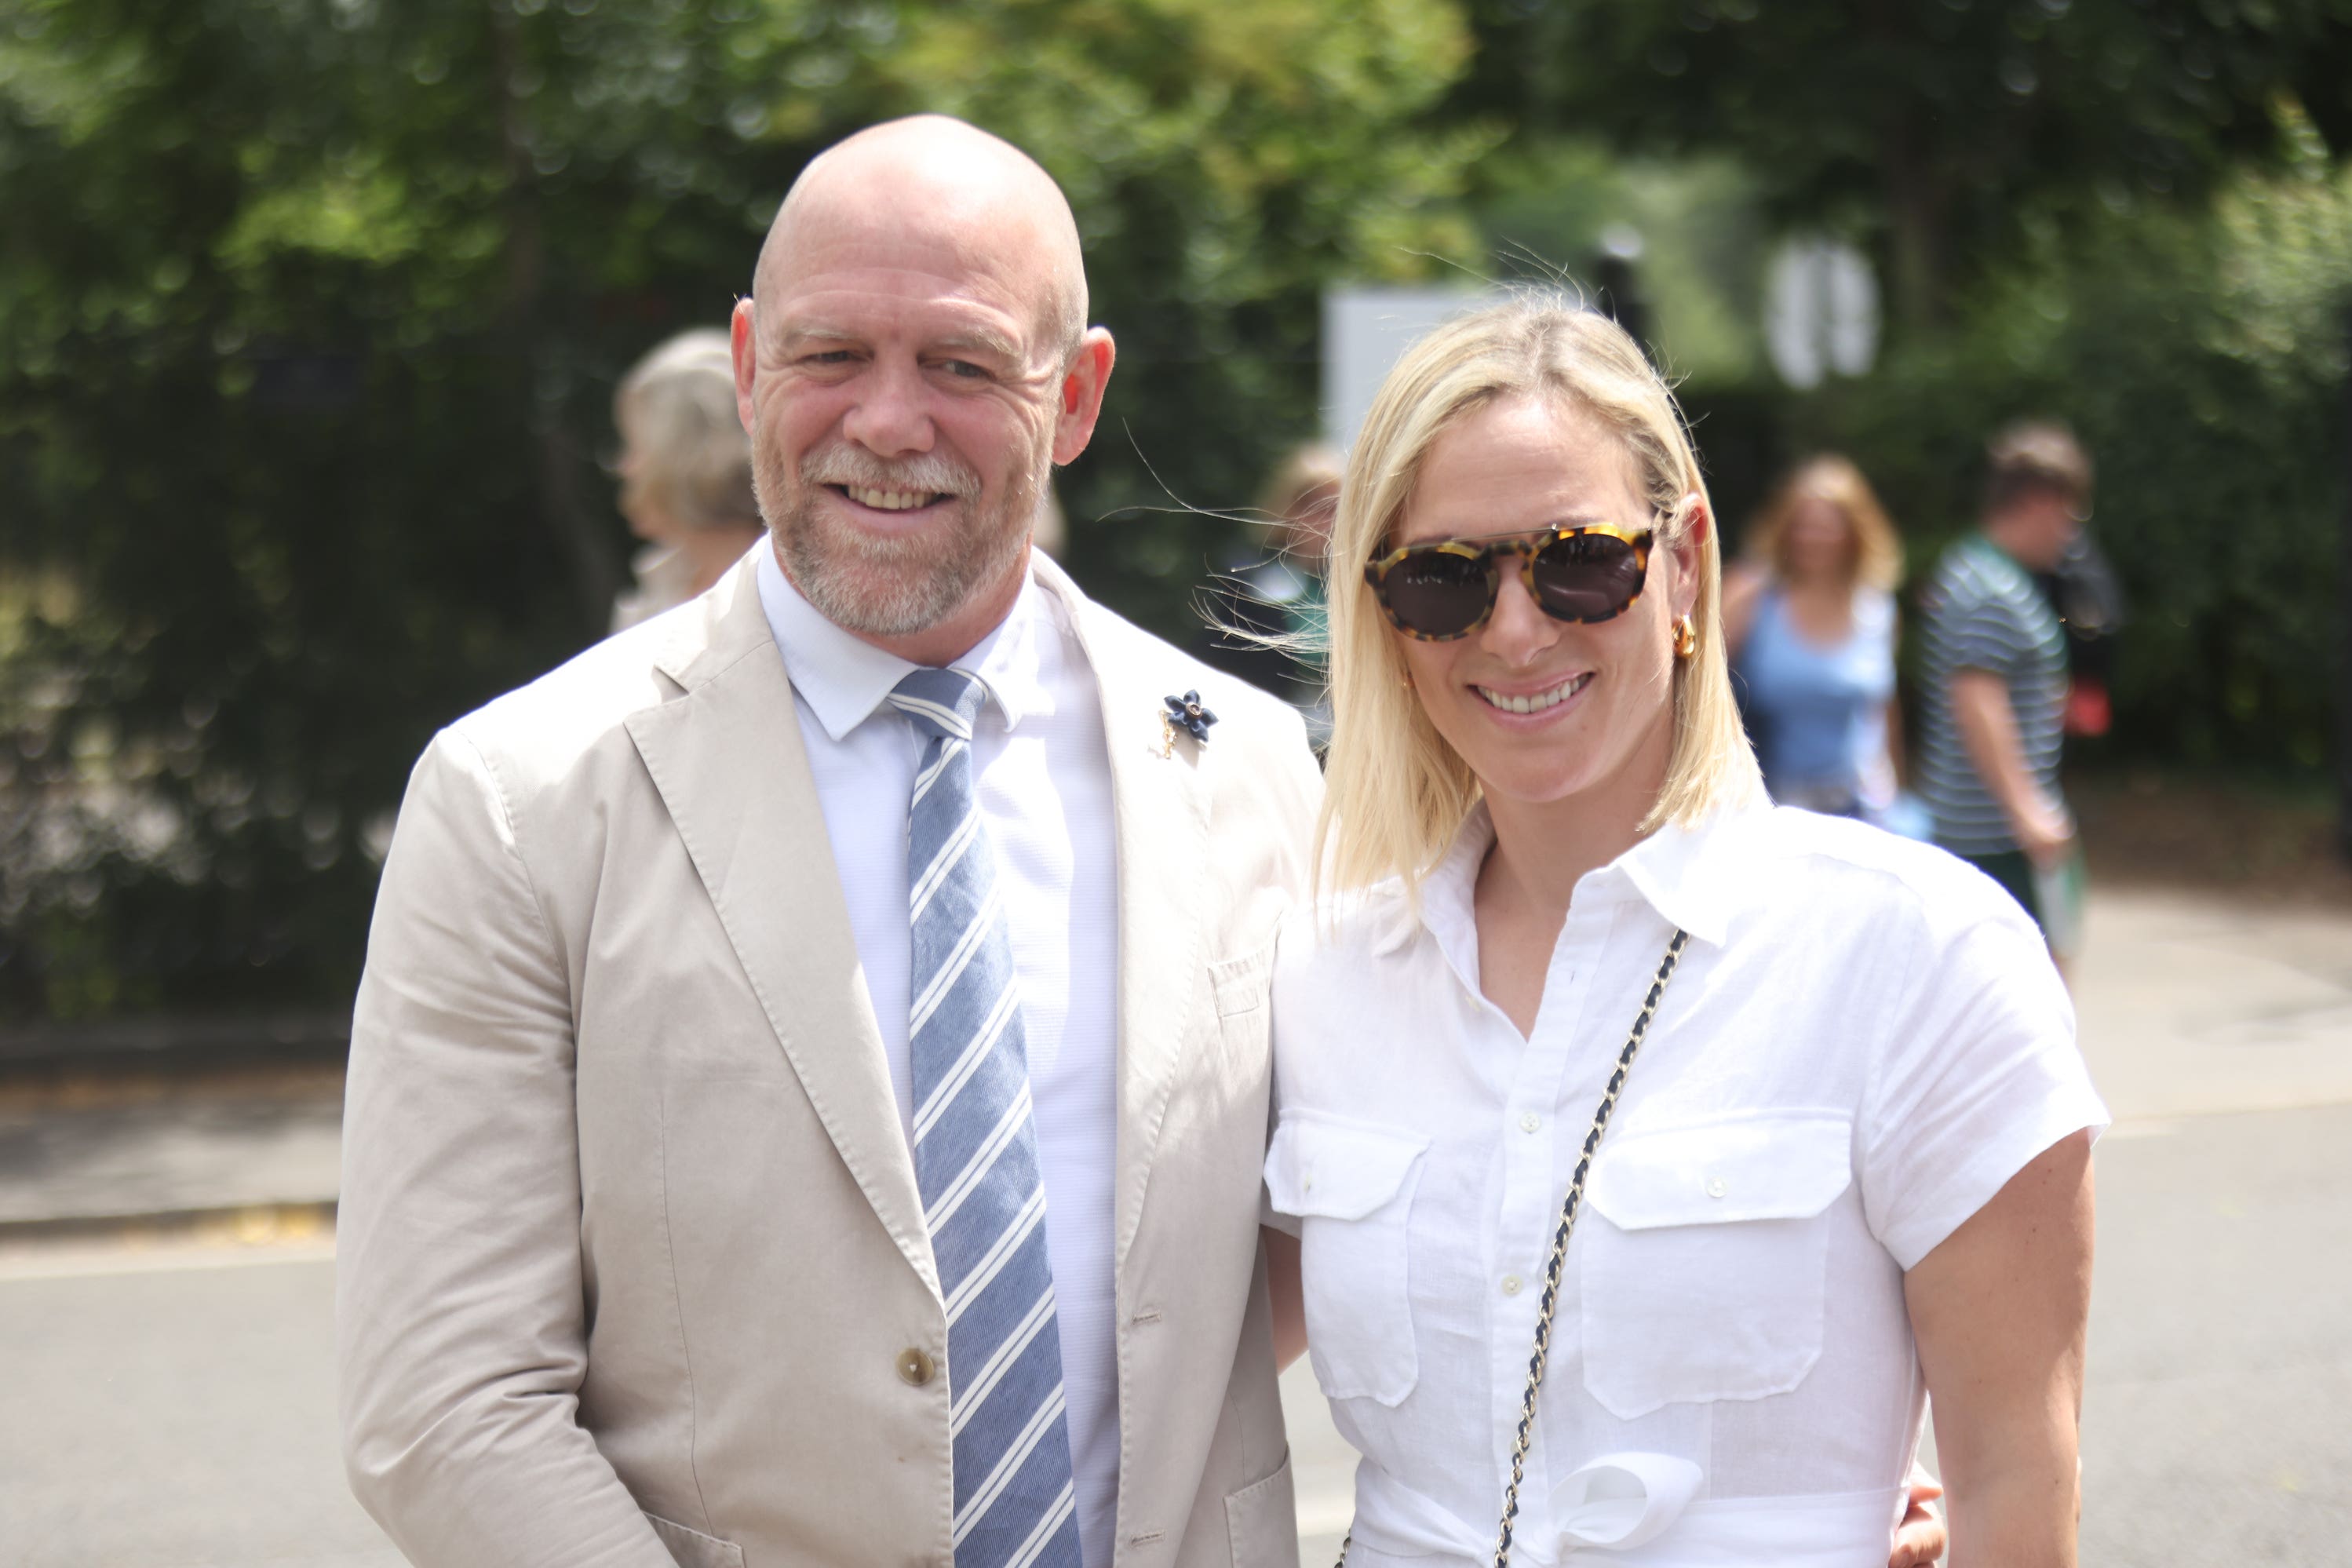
(2203, 356)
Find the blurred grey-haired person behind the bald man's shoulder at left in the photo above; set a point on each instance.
(686, 474)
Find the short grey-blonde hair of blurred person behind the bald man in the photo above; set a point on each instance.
(686, 445)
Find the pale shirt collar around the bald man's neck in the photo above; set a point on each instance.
(846, 678)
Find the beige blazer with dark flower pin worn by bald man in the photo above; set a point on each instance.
(632, 1257)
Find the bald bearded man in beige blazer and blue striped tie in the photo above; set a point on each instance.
(810, 1078)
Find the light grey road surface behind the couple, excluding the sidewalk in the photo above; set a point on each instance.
(180, 1416)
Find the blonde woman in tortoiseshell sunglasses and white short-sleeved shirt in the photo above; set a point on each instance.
(1847, 1146)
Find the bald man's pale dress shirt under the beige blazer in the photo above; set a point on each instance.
(1043, 777)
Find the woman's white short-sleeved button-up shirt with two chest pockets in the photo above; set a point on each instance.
(1864, 1043)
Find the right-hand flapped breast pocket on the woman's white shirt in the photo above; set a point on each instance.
(1706, 1261)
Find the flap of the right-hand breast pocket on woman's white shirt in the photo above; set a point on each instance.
(1786, 1167)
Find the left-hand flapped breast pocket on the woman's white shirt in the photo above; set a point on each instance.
(1354, 1193)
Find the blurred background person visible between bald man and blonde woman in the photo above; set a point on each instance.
(1267, 603)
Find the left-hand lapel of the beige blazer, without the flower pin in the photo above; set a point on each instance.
(735, 775)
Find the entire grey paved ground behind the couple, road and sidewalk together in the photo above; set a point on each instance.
(173, 1407)
